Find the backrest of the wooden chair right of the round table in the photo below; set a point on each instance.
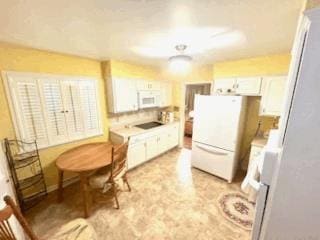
(119, 159)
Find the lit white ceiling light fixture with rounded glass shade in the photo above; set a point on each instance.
(180, 63)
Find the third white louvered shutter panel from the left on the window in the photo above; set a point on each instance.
(73, 110)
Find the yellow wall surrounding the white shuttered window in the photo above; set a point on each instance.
(16, 58)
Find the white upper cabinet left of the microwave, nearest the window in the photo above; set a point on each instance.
(123, 96)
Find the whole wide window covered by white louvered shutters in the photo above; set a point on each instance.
(53, 109)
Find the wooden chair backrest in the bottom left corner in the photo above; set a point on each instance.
(6, 232)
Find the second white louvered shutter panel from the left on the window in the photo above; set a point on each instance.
(54, 110)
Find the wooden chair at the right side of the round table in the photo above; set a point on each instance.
(117, 171)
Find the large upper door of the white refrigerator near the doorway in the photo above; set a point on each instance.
(216, 120)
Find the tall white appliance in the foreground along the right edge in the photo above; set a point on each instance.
(289, 191)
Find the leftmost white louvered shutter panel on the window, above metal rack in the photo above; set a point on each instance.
(27, 105)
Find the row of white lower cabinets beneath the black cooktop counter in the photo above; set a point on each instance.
(146, 146)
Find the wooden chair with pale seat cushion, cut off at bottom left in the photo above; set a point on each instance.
(78, 229)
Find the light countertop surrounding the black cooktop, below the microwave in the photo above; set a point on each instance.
(132, 130)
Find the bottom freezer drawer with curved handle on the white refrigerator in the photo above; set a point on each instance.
(213, 160)
